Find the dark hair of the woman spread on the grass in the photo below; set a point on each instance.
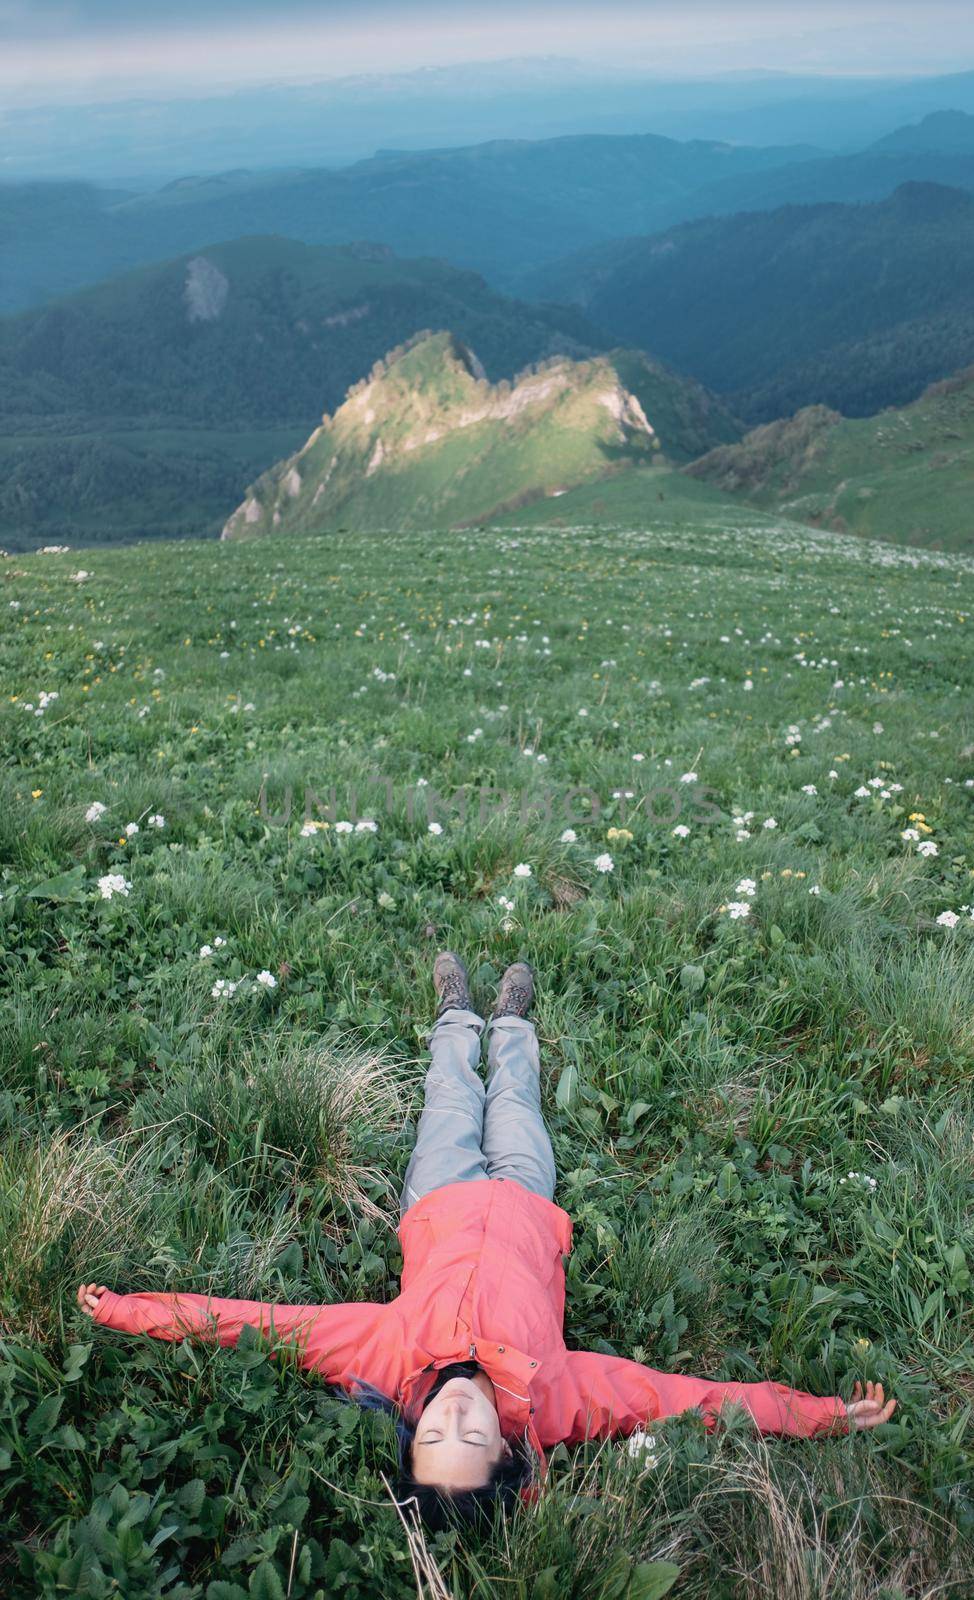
(436, 1506)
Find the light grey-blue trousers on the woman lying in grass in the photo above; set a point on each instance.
(469, 1132)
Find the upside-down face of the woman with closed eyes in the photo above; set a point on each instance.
(458, 1439)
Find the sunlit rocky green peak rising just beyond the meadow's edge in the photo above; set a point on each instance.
(428, 441)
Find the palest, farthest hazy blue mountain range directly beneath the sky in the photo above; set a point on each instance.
(150, 138)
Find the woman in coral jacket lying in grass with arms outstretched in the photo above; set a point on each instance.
(471, 1358)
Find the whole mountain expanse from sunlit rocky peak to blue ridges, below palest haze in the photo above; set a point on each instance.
(140, 406)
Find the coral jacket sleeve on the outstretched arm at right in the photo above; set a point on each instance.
(613, 1398)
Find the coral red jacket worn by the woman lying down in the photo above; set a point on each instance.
(484, 1278)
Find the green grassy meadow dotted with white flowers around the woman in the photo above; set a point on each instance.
(756, 966)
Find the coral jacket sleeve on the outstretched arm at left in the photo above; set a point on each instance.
(329, 1338)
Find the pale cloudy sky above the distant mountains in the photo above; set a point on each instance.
(63, 50)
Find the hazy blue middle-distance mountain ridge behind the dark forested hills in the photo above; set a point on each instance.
(506, 209)
